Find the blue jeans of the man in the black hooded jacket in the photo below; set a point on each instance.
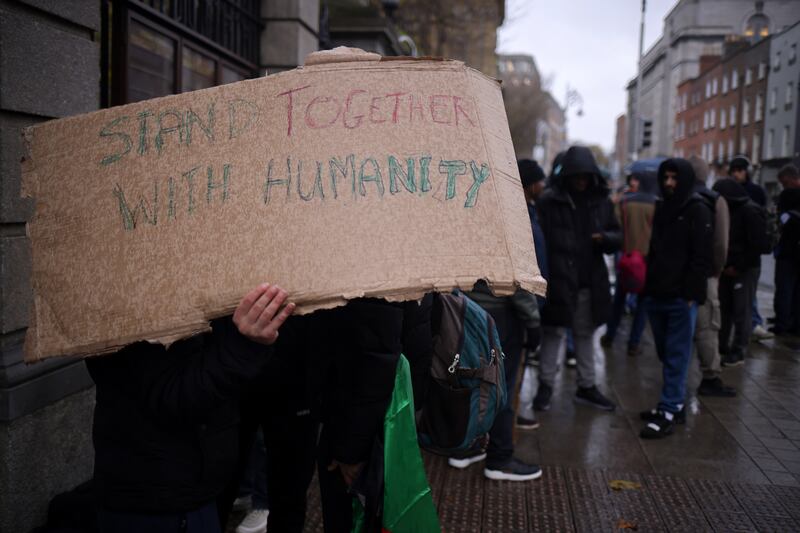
(672, 321)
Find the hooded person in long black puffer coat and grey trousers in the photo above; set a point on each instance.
(579, 226)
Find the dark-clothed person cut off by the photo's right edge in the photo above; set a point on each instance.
(787, 255)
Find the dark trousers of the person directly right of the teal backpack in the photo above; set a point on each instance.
(510, 330)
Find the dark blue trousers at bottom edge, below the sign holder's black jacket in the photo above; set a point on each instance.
(203, 520)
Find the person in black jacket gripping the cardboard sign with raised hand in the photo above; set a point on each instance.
(165, 419)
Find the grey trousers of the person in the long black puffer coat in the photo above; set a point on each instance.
(583, 334)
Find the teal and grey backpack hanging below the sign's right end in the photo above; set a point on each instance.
(467, 387)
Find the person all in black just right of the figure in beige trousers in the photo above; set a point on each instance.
(746, 242)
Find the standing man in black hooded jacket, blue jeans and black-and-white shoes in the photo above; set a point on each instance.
(678, 267)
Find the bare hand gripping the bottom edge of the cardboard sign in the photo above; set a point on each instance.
(258, 317)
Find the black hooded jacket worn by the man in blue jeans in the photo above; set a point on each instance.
(679, 262)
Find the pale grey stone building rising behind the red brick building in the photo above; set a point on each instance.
(694, 28)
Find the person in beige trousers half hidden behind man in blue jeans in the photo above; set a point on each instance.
(706, 335)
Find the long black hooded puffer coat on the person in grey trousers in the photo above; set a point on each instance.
(557, 212)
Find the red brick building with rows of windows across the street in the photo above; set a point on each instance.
(720, 113)
